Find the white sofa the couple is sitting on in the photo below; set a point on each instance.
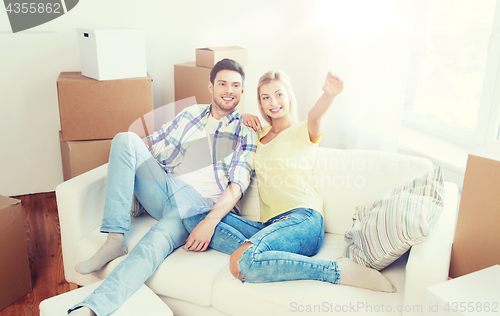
(200, 283)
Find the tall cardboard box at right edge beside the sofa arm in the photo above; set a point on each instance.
(477, 238)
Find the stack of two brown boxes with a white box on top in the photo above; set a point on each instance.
(111, 93)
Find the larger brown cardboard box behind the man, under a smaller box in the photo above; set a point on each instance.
(191, 80)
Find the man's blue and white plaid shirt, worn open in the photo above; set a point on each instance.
(234, 144)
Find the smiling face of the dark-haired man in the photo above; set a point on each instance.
(226, 92)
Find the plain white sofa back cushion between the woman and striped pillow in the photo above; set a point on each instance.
(350, 178)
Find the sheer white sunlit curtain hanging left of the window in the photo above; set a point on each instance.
(370, 44)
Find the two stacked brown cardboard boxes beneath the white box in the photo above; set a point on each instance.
(92, 112)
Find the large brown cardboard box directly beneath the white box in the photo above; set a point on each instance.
(91, 109)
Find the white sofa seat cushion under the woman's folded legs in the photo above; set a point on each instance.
(233, 297)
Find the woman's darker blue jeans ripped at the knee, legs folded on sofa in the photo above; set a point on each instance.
(281, 246)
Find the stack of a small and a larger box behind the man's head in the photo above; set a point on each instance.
(192, 78)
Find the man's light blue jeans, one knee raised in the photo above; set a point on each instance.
(132, 169)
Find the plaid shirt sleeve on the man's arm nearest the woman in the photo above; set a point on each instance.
(242, 162)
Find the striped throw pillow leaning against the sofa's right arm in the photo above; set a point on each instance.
(385, 229)
